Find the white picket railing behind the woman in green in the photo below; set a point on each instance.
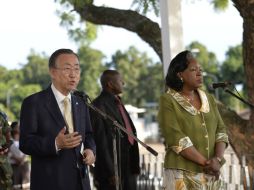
(235, 174)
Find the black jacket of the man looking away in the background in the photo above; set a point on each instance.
(103, 129)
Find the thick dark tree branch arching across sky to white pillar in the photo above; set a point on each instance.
(146, 29)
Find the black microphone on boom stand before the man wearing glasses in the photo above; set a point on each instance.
(118, 126)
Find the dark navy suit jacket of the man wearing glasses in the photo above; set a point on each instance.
(40, 122)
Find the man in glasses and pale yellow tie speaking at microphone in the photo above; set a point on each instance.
(58, 136)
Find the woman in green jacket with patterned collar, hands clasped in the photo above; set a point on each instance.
(191, 125)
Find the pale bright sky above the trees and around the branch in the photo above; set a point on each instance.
(33, 24)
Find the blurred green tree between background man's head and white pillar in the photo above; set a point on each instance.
(143, 78)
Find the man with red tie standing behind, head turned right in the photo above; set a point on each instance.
(127, 149)
